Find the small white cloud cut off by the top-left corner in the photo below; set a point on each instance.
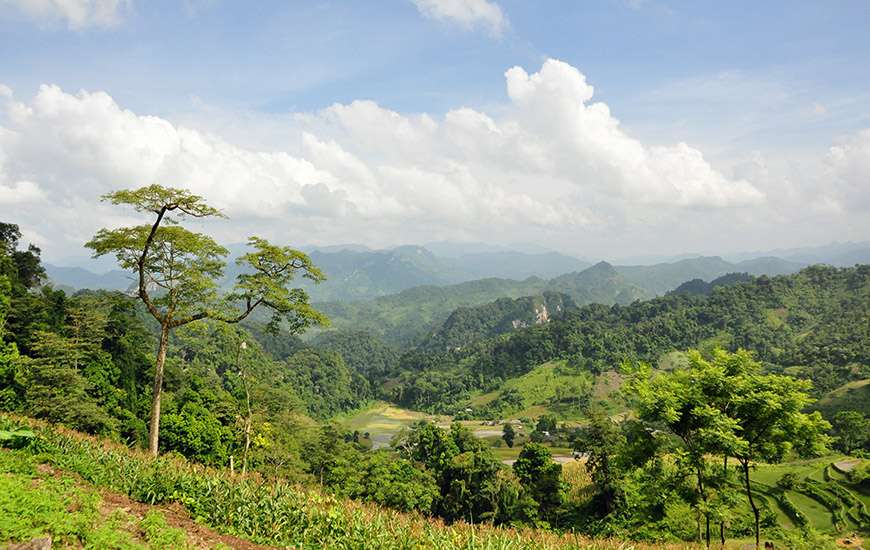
(76, 14)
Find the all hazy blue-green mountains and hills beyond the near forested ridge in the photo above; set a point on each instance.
(404, 295)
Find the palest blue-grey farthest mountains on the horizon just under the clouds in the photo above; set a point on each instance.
(355, 272)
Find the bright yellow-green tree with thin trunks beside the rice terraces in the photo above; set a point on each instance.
(727, 407)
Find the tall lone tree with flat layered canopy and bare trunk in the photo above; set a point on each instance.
(178, 273)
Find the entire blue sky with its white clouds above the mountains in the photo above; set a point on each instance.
(599, 128)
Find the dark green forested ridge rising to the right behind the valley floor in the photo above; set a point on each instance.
(812, 324)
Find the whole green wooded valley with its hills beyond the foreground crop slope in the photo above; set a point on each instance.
(529, 403)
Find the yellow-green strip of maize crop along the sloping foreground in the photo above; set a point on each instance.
(267, 512)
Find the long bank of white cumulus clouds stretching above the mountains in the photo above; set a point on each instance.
(551, 161)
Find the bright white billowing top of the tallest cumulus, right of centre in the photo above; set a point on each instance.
(586, 144)
